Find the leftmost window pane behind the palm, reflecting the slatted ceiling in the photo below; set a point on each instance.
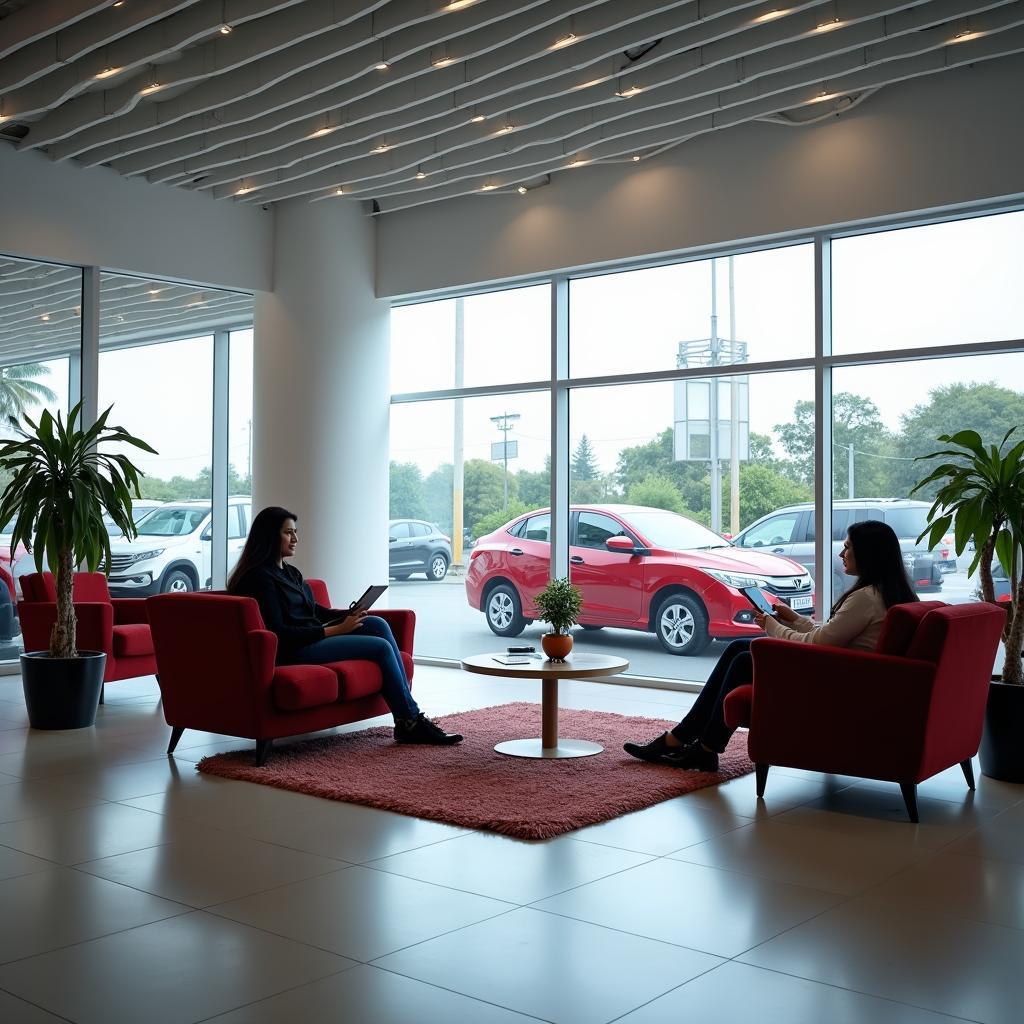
(40, 359)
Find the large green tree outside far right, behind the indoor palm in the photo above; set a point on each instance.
(988, 408)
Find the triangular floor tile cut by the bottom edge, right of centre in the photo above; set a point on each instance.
(736, 994)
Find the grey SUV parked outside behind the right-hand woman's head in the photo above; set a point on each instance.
(790, 532)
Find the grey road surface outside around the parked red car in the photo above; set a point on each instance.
(448, 627)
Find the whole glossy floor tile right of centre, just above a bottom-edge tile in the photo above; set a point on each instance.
(716, 912)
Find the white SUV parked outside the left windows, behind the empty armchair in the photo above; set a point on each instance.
(173, 551)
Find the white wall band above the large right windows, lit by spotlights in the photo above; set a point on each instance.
(948, 140)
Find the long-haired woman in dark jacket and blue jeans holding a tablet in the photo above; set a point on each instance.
(311, 634)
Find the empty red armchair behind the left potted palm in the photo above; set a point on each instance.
(116, 626)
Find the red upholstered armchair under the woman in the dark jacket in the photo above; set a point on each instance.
(218, 672)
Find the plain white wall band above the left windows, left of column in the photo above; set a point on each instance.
(72, 215)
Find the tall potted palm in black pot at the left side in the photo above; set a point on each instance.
(61, 487)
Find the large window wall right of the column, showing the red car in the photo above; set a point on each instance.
(706, 470)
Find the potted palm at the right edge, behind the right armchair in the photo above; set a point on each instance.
(982, 495)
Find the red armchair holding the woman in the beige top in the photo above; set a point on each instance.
(903, 714)
